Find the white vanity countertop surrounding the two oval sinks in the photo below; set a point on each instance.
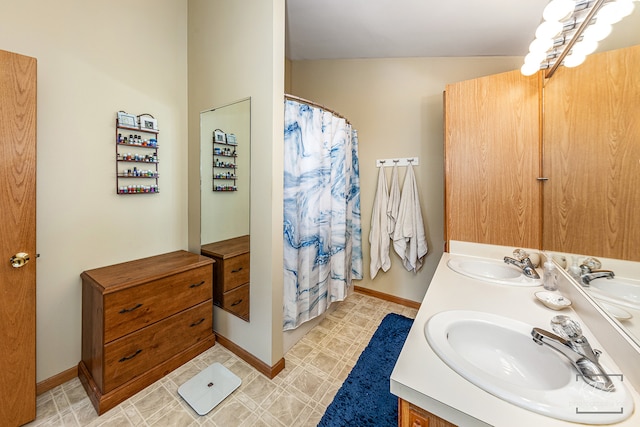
(422, 378)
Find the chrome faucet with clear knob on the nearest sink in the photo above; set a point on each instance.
(575, 347)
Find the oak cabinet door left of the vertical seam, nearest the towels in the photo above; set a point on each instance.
(492, 160)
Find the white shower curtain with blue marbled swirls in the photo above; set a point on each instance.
(322, 234)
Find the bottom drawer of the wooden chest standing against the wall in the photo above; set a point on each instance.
(134, 354)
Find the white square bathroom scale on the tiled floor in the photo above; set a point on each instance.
(208, 388)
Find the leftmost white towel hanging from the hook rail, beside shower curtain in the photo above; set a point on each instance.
(379, 236)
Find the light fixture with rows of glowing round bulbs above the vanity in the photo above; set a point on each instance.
(571, 30)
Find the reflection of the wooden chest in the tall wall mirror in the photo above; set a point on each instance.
(231, 274)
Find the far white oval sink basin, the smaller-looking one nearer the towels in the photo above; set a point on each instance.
(491, 271)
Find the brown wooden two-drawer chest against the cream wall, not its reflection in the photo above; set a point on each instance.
(141, 320)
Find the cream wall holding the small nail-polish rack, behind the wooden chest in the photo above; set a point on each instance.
(94, 59)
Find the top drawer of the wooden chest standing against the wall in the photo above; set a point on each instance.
(139, 306)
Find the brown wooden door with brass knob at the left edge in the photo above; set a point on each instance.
(17, 234)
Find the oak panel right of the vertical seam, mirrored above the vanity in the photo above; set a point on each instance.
(591, 157)
